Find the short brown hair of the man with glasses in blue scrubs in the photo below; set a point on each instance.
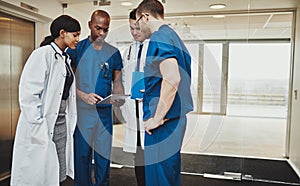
(154, 7)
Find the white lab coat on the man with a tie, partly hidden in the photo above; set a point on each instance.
(128, 109)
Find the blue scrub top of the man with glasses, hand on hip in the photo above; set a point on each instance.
(165, 43)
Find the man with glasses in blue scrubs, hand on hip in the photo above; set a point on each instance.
(167, 98)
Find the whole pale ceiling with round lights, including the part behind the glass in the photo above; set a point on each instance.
(243, 19)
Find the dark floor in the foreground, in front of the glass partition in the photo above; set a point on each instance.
(194, 168)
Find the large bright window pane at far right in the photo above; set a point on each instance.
(258, 79)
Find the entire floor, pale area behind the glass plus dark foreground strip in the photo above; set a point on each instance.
(210, 142)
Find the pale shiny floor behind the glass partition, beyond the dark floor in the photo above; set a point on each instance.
(229, 135)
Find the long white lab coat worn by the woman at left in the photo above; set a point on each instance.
(35, 161)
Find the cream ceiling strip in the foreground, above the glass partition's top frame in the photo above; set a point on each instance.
(185, 6)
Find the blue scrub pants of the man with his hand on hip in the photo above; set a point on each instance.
(162, 153)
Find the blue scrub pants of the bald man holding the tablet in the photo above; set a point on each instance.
(93, 133)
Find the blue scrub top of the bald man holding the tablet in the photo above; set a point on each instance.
(94, 68)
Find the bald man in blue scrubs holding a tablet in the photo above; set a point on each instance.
(98, 74)
